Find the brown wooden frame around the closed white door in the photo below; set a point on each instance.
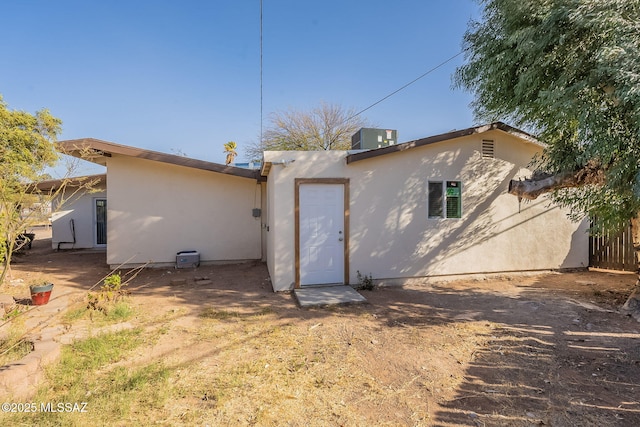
(337, 181)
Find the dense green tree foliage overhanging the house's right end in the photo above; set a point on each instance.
(568, 70)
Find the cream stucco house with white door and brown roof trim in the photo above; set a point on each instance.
(435, 206)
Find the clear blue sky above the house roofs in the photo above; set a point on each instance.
(184, 76)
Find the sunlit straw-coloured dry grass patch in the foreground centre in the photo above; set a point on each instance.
(265, 371)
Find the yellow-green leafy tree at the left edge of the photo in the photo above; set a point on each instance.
(26, 149)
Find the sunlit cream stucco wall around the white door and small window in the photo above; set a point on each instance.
(391, 236)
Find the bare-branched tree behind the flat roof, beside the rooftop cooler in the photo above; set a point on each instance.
(326, 127)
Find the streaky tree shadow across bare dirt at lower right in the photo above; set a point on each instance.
(550, 359)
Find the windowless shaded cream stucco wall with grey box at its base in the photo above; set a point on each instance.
(156, 210)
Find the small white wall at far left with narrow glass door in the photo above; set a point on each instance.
(81, 209)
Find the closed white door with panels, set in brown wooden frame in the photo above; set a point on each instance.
(322, 231)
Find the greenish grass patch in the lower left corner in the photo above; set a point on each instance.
(86, 374)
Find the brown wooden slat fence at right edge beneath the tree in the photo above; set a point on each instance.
(612, 251)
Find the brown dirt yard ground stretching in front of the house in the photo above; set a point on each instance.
(514, 350)
